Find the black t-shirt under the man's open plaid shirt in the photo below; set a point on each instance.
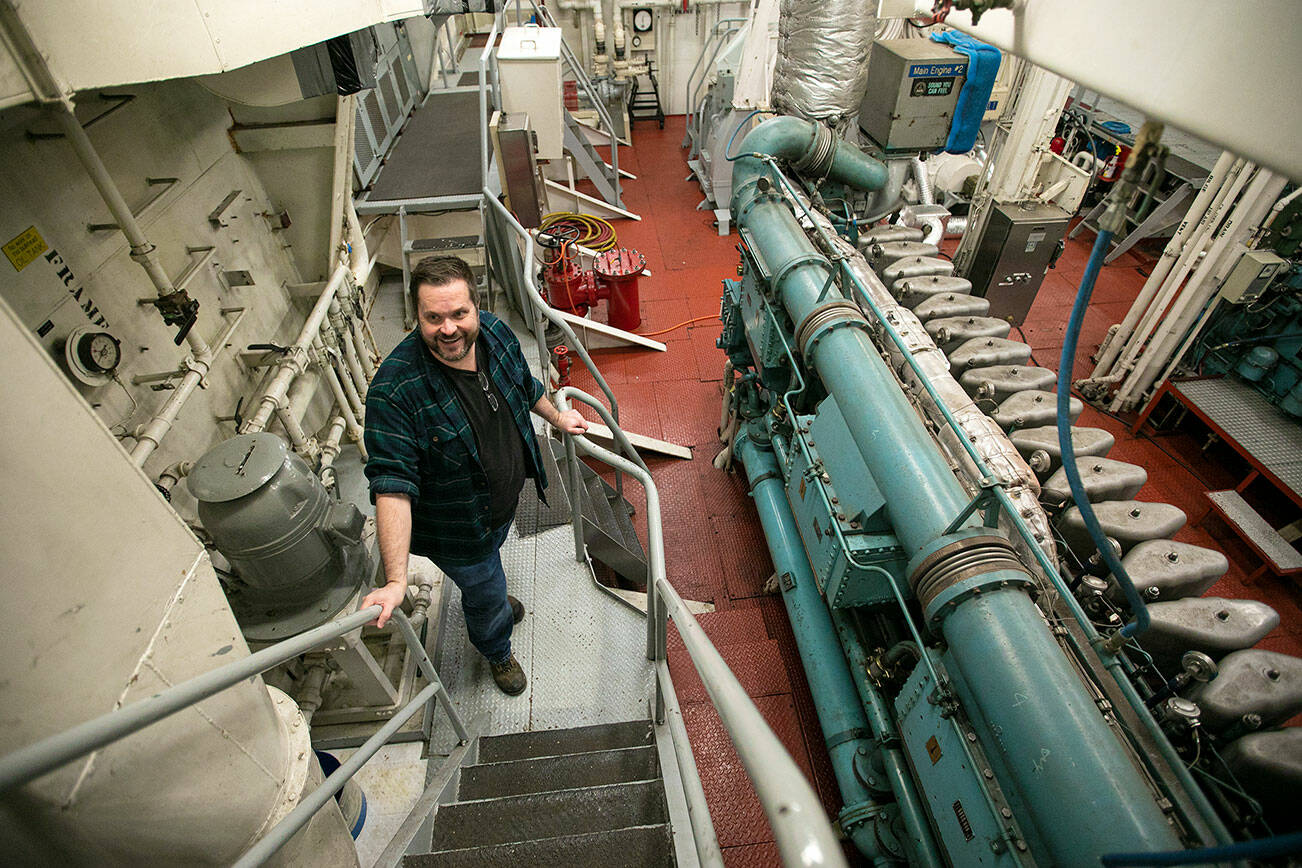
(502, 450)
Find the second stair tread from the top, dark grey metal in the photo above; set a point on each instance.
(567, 772)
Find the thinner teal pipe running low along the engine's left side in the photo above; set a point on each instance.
(831, 685)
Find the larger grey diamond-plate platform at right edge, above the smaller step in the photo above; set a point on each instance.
(1253, 422)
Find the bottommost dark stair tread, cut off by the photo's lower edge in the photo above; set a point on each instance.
(648, 847)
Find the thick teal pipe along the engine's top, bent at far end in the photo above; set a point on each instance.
(969, 582)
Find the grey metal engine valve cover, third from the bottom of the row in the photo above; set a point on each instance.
(1212, 625)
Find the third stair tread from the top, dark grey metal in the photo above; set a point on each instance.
(547, 815)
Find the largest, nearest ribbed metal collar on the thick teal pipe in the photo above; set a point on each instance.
(975, 558)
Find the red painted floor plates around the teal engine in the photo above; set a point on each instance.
(714, 547)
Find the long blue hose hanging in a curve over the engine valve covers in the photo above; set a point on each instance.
(1064, 426)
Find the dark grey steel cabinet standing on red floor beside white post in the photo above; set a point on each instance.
(1014, 256)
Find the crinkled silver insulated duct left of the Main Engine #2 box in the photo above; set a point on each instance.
(822, 66)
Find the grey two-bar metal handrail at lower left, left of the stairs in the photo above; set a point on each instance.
(49, 754)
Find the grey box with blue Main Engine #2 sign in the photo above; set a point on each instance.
(913, 92)
